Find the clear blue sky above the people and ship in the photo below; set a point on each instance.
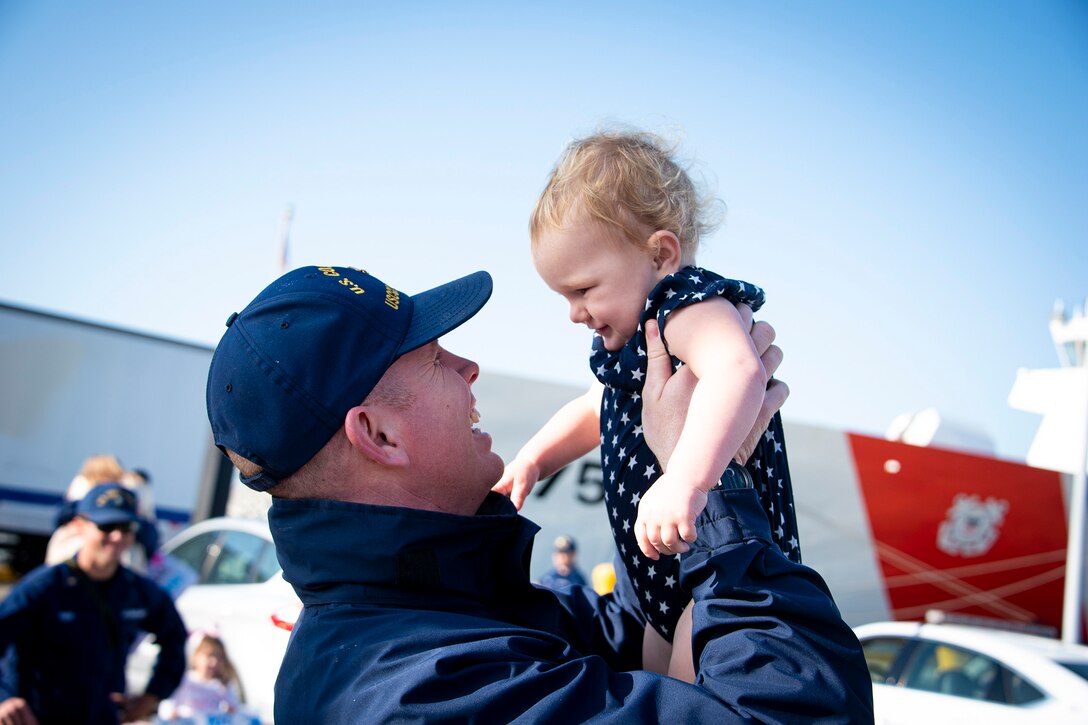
(909, 181)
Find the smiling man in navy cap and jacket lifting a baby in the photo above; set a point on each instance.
(331, 392)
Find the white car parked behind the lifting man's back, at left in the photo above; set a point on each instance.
(237, 589)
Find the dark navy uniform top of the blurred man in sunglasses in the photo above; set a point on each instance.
(63, 657)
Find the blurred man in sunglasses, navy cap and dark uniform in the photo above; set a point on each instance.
(67, 630)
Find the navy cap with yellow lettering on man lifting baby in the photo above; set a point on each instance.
(312, 347)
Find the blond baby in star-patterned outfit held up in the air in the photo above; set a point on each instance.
(615, 232)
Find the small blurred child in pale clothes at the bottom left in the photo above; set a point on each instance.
(211, 689)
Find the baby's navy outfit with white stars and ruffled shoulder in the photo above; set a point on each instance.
(630, 468)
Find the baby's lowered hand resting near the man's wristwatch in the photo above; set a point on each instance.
(666, 522)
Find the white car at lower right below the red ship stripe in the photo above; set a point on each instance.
(963, 674)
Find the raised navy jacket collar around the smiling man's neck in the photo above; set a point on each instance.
(332, 551)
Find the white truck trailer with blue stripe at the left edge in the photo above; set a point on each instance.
(71, 389)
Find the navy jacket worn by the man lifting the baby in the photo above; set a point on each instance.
(424, 618)
